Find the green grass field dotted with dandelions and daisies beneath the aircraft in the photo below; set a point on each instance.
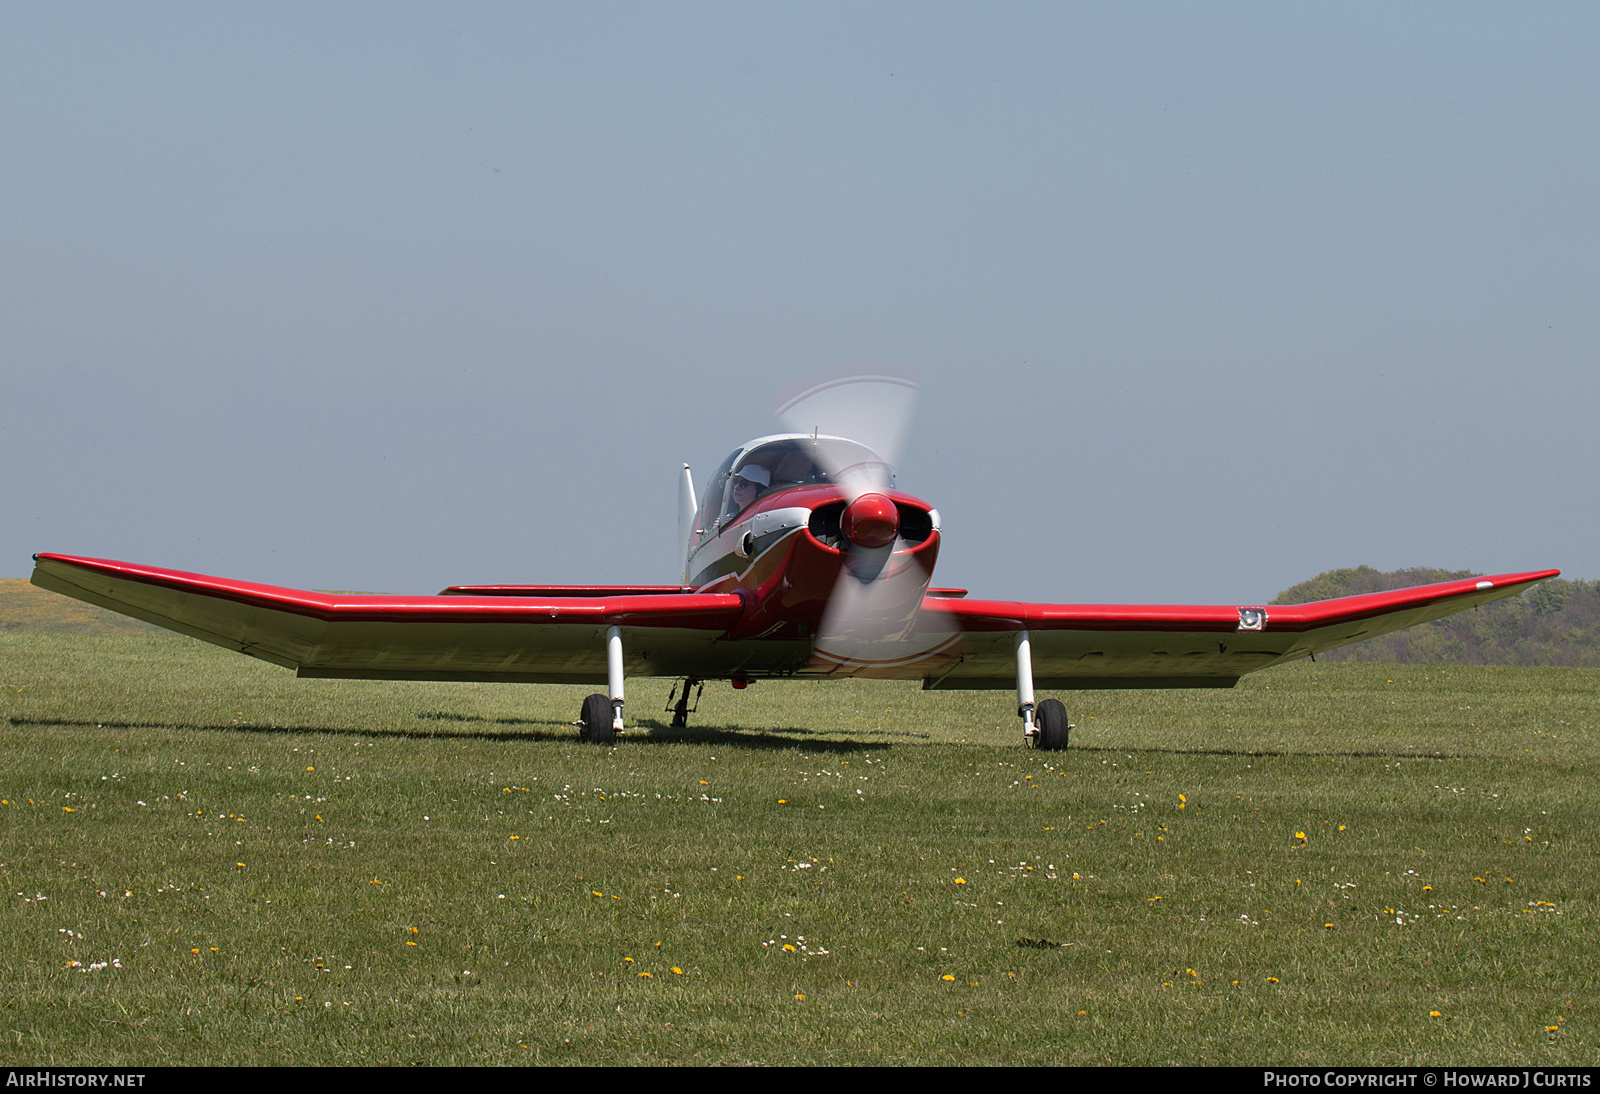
(210, 861)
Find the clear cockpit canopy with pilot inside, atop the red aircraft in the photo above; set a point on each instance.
(780, 463)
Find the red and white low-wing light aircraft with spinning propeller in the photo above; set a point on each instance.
(799, 559)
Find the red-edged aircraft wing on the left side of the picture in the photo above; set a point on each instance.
(521, 636)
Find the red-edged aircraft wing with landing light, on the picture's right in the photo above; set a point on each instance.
(1177, 647)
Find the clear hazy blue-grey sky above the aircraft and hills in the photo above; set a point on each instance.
(1206, 298)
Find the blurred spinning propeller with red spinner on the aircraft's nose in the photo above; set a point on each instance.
(874, 602)
